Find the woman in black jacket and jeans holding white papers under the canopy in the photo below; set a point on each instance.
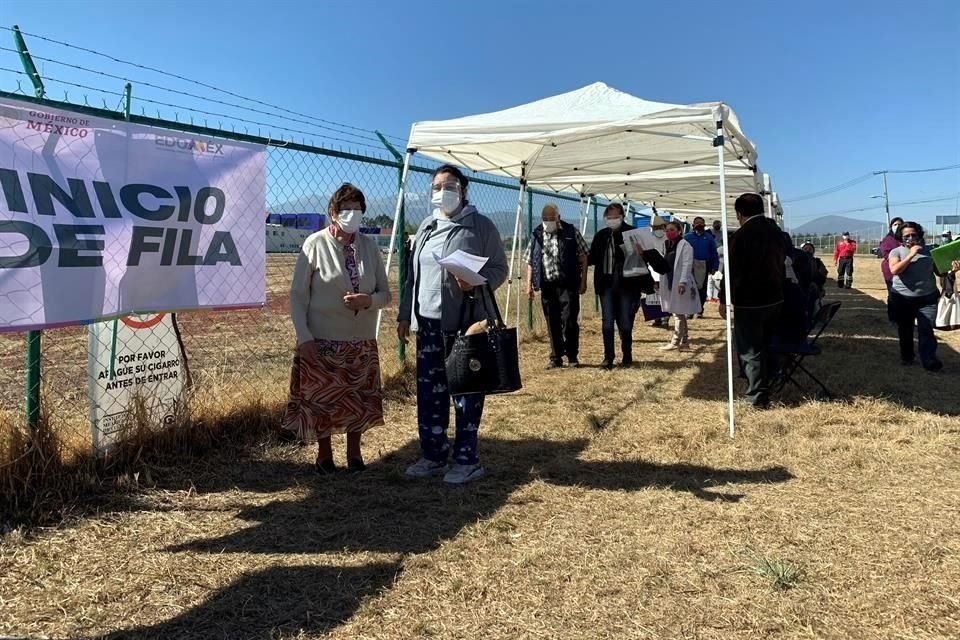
(619, 296)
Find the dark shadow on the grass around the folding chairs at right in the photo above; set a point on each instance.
(860, 358)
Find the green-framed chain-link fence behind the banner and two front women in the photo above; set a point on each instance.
(238, 359)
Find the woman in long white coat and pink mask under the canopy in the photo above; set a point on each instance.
(680, 295)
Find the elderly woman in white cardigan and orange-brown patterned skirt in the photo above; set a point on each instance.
(339, 284)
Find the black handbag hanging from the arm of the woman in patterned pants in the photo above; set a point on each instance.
(488, 362)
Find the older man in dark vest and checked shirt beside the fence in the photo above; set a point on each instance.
(557, 267)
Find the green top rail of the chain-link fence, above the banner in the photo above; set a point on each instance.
(254, 139)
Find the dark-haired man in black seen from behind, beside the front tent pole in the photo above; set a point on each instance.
(756, 281)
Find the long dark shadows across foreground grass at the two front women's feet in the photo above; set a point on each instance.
(381, 511)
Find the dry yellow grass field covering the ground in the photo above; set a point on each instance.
(615, 506)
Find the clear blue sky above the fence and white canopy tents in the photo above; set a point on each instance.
(827, 90)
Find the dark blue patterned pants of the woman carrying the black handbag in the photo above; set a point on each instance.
(433, 402)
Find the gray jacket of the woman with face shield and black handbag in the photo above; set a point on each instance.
(474, 233)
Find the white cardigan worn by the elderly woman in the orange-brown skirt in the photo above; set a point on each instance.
(320, 281)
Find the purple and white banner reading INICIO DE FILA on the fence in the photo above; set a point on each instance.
(100, 218)
